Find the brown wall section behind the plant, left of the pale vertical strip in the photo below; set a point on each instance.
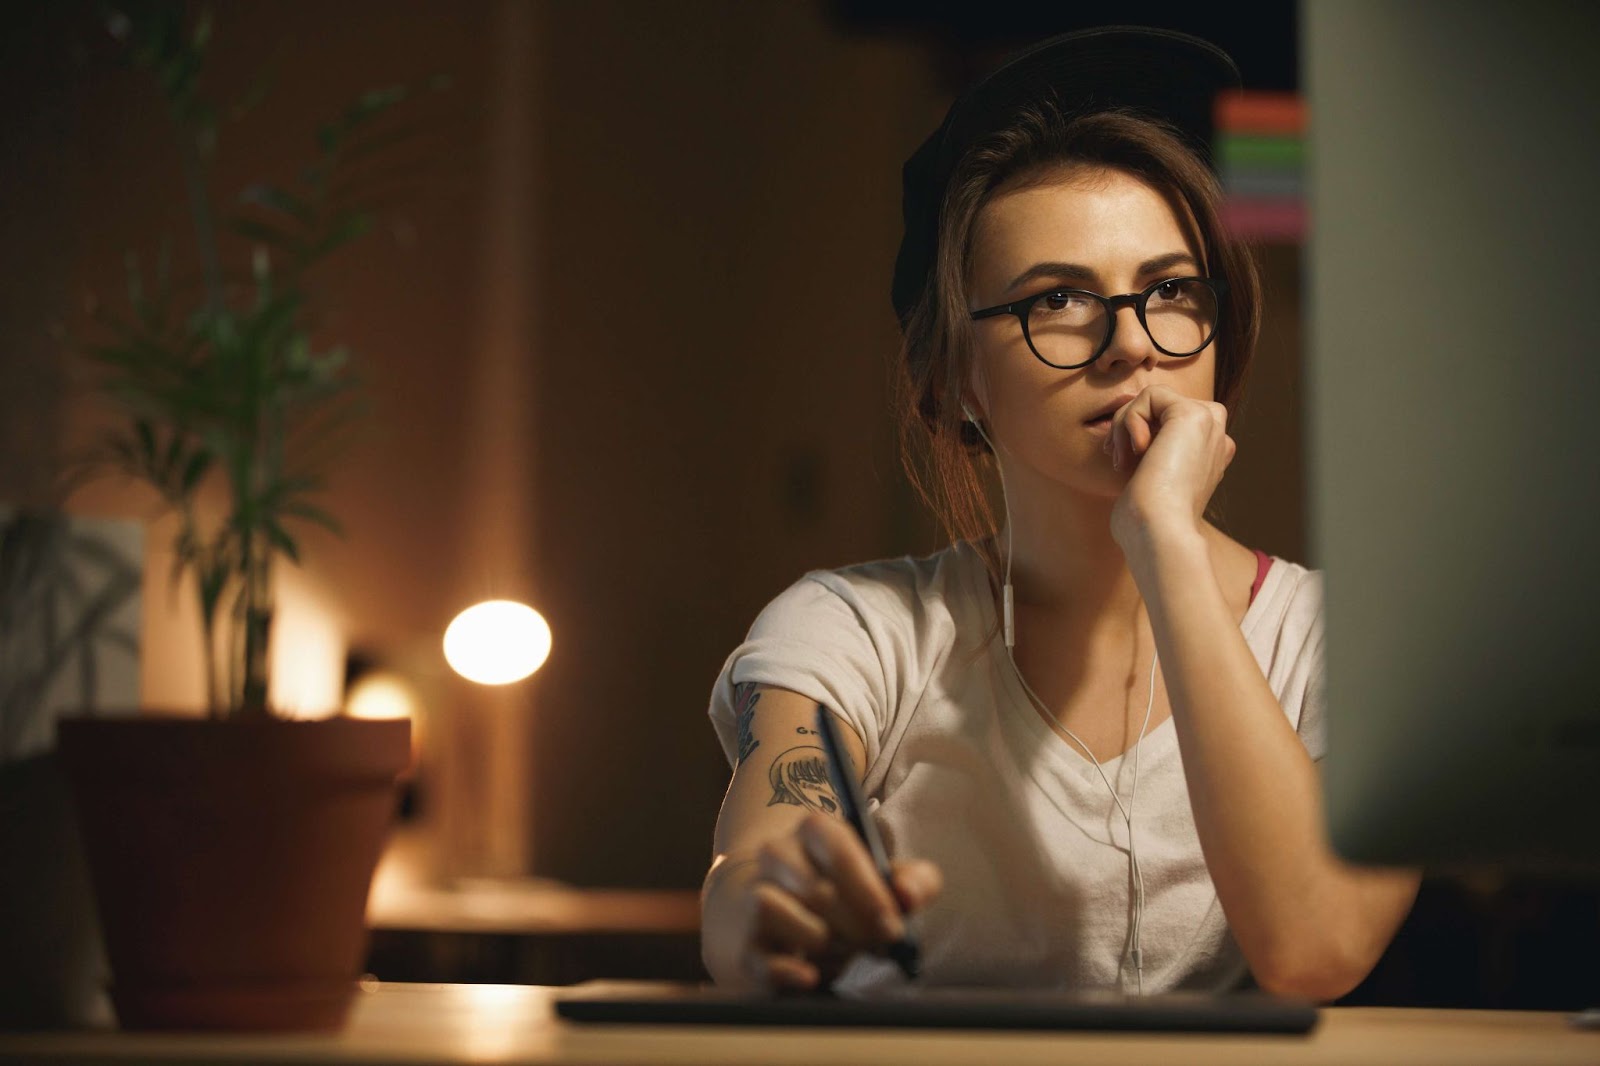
(92, 170)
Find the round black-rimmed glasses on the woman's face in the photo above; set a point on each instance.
(1073, 327)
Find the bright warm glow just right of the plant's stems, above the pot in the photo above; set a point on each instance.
(306, 657)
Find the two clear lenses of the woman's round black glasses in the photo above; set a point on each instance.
(1068, 329)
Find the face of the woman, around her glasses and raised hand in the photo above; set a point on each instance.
(1084, 228)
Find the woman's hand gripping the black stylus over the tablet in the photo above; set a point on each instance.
(791, 913)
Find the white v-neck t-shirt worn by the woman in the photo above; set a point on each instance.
(964, 771)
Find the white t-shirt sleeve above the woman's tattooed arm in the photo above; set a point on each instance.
(814, 643)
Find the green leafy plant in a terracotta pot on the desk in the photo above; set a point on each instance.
(231, 856)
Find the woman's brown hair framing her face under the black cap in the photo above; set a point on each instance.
(938, 449)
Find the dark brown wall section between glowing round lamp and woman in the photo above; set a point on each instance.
(721, 215)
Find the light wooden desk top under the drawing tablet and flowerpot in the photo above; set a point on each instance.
(404, 1025)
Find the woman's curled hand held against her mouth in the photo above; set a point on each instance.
(1175, 451)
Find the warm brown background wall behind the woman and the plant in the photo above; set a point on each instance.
(642, 388)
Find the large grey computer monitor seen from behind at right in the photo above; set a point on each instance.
(1454, 427)
